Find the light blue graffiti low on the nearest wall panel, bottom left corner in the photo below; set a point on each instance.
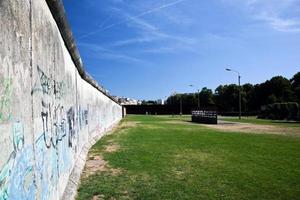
(16, 176)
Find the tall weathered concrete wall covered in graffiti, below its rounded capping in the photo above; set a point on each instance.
(48, 113)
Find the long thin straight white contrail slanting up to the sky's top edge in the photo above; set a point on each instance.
(137, 16)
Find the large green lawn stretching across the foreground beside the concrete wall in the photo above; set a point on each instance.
(164, 158)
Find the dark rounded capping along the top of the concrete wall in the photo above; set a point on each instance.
(58, 12)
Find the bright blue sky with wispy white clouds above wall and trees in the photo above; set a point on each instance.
(147, 49)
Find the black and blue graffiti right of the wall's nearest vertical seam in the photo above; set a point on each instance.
(58, 142)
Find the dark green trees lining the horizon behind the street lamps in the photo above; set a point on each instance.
(225, 97)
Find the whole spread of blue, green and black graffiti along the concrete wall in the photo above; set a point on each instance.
(60, 127)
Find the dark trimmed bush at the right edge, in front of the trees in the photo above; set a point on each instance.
(281, 111)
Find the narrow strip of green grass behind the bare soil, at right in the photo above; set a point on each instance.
(254, 120)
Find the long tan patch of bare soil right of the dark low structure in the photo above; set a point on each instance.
(255, 128)
